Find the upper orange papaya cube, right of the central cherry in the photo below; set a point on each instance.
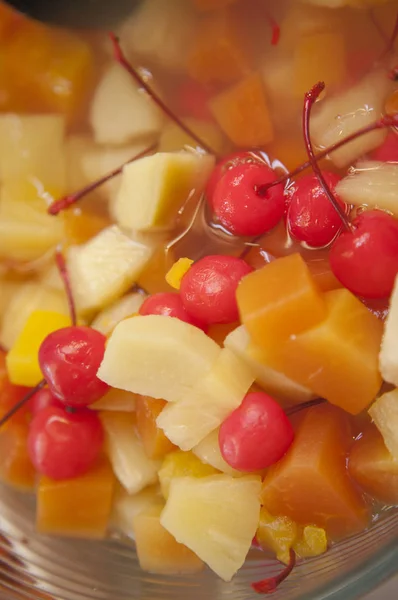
(279, 300)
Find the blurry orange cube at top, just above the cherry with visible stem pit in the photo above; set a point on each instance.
(243, 114)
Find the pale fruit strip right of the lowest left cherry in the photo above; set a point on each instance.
(130, 464)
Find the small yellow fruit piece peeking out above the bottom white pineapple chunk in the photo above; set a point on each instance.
(182, 464)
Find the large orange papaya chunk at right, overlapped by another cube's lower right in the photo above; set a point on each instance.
(338, 358)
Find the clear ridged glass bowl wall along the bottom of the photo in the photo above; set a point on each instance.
(39, 567)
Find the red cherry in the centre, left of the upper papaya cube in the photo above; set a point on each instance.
(208, 289)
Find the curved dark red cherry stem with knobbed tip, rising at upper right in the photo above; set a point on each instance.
(309, 100)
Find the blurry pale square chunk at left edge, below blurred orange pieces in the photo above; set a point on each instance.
(32, 146)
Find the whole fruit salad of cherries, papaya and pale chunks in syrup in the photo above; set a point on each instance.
(199, 278)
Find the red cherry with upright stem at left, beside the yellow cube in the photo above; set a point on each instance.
(69, 359)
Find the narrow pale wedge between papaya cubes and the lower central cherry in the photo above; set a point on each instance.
(273, 382)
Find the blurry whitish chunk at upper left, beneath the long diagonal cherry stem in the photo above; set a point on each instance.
(122, 112)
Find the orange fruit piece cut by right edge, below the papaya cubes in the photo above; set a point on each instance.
(373, 467)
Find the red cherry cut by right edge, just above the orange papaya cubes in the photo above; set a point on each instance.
(365, 260)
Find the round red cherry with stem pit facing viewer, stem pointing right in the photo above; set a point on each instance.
(240, 205)
